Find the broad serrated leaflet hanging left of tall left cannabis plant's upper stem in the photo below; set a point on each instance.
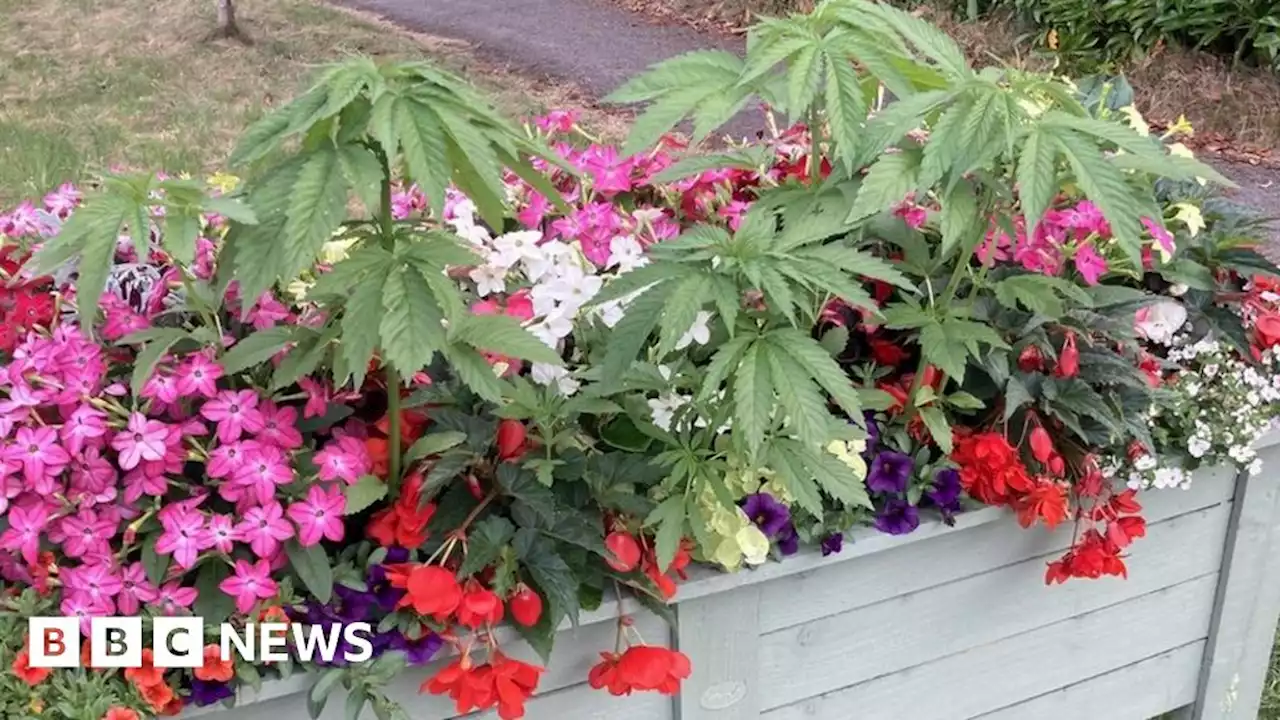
(318, 206)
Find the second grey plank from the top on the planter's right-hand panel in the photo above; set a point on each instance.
(916, 628)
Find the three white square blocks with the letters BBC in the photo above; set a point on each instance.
(116, 642)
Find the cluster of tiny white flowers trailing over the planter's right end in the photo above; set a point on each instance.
(1222, 407)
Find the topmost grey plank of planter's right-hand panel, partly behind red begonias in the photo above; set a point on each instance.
(939, 560)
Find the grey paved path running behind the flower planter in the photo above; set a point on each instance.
(598, 45)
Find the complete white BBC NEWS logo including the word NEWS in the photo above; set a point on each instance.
(180, 642)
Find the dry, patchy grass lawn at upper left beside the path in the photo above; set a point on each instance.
(88, 85)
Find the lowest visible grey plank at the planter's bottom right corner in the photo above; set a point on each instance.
(1112, 695)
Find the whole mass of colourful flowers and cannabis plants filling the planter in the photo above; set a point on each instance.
(534, 371)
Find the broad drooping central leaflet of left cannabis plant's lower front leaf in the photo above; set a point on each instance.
(410, 331)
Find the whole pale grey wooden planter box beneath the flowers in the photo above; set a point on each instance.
(948, 623)
